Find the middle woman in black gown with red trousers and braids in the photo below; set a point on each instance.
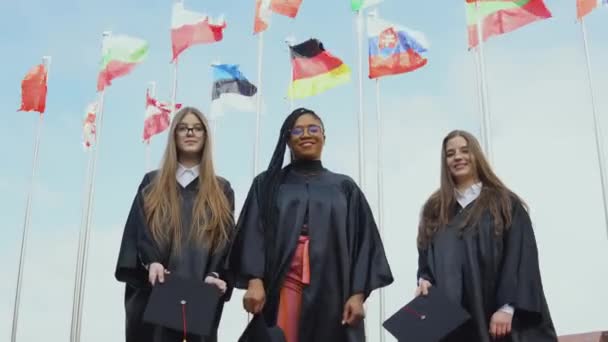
(307, 248)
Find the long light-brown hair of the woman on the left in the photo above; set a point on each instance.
(211, 214)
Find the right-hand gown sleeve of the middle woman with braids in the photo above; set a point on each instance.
(370, 267)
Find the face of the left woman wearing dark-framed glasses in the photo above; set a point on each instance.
(190, 136)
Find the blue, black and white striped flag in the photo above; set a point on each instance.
(231, 89)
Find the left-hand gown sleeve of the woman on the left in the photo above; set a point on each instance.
(129, 267)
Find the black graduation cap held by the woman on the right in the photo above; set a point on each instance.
(426, 318)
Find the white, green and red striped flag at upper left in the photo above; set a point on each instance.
(120, 55)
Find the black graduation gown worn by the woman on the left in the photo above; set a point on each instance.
(138, 248)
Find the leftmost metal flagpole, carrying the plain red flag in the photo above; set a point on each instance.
(46, 60)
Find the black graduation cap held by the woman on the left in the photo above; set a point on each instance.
(183, 304)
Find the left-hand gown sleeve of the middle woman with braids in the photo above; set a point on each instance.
(247, 258)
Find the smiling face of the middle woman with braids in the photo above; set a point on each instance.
(307, 138)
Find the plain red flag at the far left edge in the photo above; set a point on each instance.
(33, 90)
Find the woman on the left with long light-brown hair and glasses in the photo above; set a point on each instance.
(180, 223)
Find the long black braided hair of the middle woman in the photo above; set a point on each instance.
(273, 178)
